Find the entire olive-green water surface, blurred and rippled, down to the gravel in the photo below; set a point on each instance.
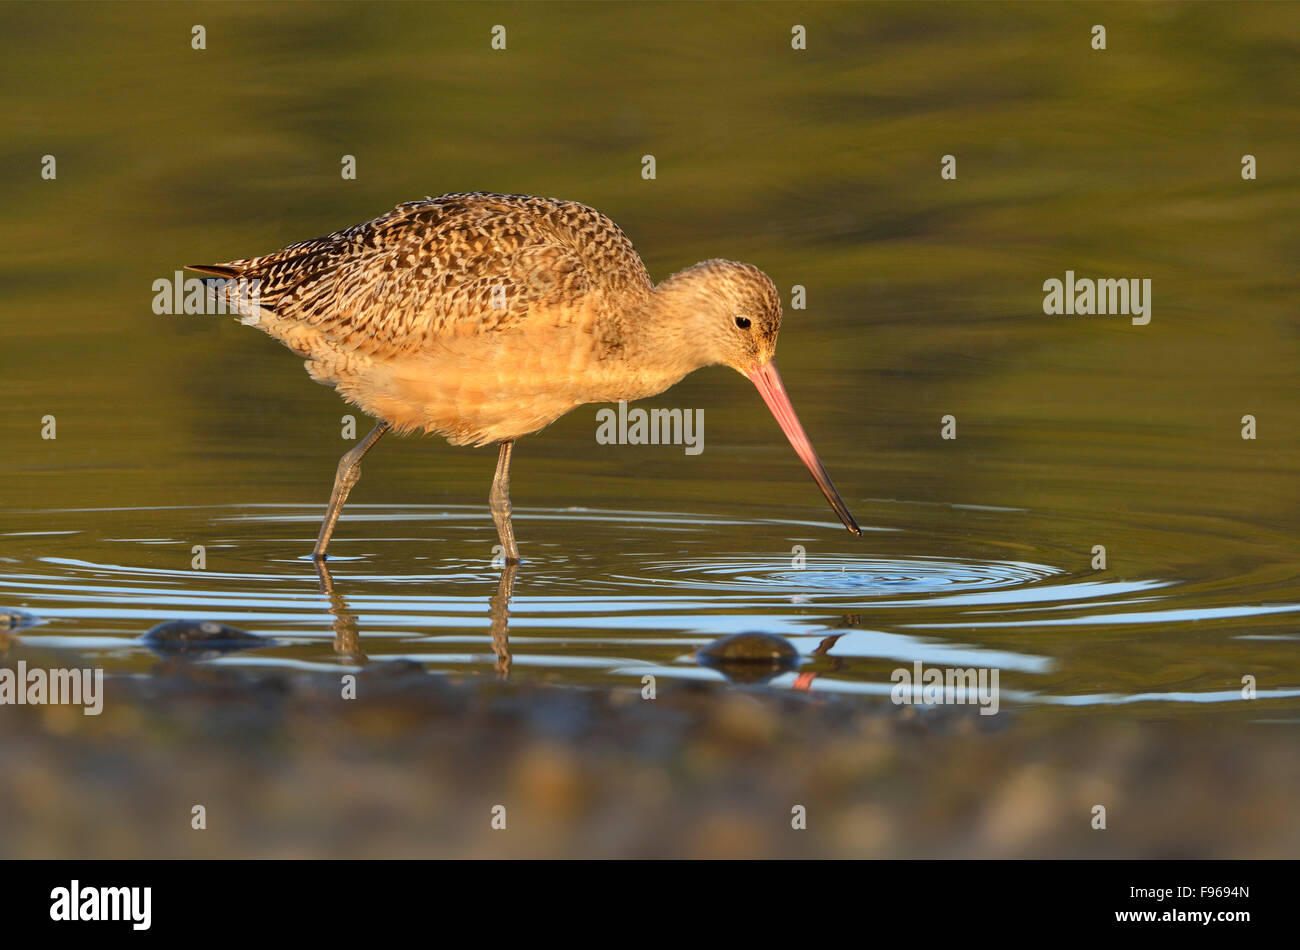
(925, 300)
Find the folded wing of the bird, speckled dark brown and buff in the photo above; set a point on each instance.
(456, 266)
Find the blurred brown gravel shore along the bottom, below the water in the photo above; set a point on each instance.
(422, 766)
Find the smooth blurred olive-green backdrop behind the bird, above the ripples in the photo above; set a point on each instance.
(821, 167)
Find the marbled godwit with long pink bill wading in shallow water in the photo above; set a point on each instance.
(486, 318)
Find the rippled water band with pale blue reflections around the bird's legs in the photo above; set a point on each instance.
(409, 584)
